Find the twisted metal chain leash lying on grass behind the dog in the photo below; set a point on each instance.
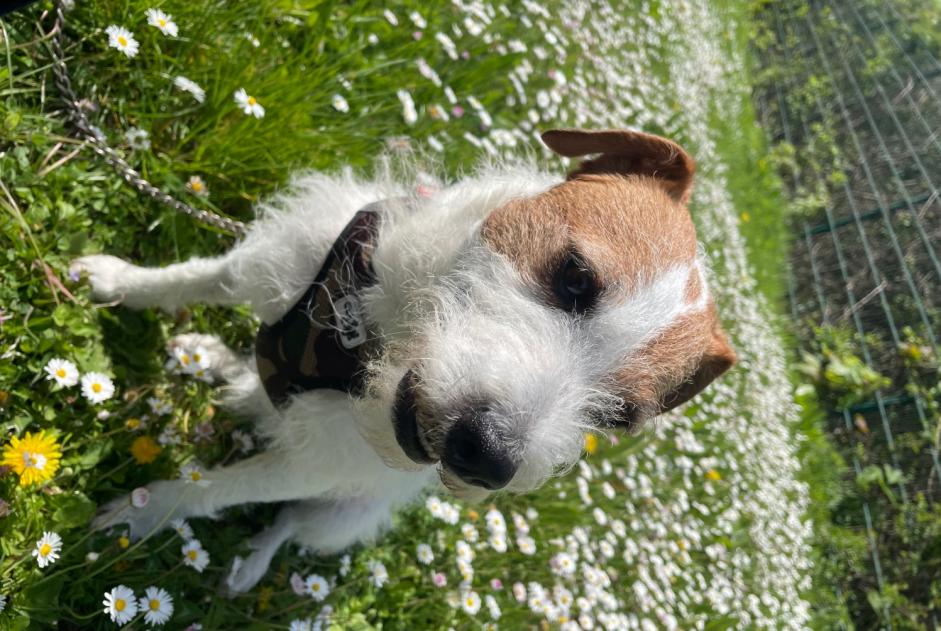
(112, 157)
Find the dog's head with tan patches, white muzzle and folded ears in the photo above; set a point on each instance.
(581, 306)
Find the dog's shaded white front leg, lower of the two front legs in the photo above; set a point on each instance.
(271, 476)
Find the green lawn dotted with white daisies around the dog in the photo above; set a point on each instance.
(700, 521)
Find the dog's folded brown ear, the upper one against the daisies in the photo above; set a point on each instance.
(627, 152)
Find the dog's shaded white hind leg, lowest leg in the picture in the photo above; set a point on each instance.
(326, 526)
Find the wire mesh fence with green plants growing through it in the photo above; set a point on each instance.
(853, 90)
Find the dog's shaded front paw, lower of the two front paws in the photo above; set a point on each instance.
(143, 518)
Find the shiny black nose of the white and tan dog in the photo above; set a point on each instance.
(478, 455)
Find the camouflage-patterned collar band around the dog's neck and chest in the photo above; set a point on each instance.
(321, 342)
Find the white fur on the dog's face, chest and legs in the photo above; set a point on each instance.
(444, 302)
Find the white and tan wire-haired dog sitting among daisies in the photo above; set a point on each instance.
(485, 327)
